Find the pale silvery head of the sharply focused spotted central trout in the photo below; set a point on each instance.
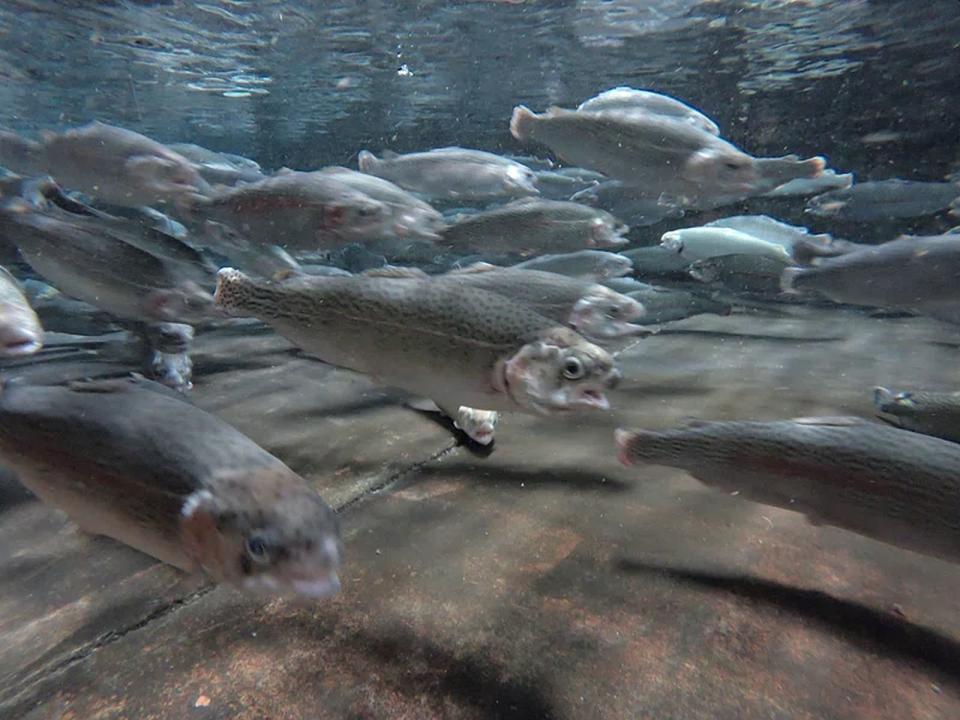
(559, 372)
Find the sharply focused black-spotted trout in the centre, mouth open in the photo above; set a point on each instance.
(455, 345)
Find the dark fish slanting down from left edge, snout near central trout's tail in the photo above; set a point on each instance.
(84, 260)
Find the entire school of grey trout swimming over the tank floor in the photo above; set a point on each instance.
(475, 282)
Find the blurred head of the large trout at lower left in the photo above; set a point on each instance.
(265, 533)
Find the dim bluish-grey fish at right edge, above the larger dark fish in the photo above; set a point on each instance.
(869, 201)
